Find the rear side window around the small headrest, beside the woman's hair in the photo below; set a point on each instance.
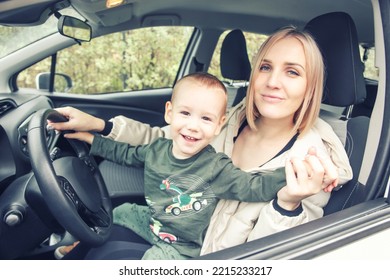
(253, 42)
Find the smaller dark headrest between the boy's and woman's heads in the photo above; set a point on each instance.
(234, 61)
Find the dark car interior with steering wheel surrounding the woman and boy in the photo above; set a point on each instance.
(34, 222)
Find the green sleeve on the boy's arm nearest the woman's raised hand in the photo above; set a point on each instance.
(233, 183)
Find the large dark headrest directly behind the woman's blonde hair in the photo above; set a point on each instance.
(336, 35)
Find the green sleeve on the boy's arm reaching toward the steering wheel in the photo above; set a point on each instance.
(121, 153)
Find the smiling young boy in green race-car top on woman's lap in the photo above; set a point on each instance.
(184, 176)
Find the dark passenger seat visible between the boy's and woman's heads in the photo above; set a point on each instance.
(235, 65)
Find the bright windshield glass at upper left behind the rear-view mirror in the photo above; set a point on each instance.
(13, 38)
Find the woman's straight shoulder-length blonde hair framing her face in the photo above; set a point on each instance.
(308, 112)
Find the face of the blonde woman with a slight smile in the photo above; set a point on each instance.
(280, 81)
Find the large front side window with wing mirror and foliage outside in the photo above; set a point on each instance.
(146, 58)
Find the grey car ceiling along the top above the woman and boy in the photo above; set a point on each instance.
(263, 16)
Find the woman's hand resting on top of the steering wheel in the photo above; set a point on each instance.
(77, 121)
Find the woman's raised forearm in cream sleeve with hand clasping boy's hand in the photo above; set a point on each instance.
(309, 183)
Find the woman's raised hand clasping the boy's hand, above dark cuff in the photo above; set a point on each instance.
(306, 178)
